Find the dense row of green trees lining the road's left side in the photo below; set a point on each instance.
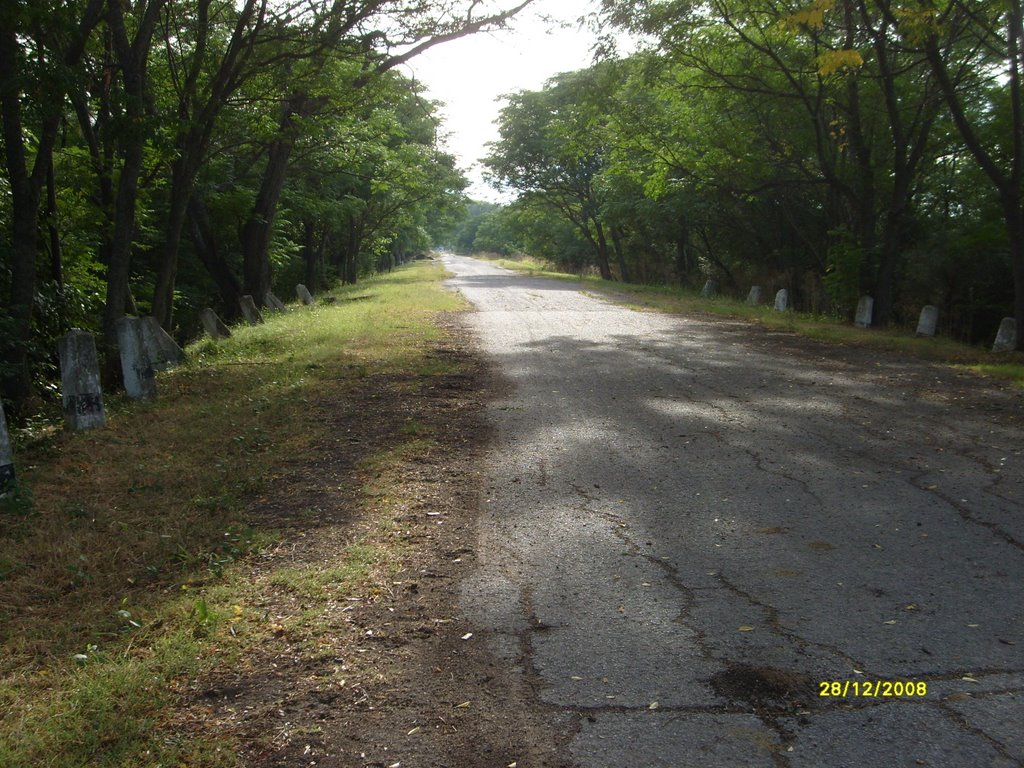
(163, 156)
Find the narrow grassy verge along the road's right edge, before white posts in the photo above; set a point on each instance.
(904, 342)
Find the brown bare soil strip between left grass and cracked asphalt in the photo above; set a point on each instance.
(388, 678)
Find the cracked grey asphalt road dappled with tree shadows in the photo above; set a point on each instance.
(689, 530)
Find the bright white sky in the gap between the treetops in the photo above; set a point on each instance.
(471, 75)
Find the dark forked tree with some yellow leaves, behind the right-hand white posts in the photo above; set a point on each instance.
(842, 63)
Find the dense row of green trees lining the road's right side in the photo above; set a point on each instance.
(834, 148)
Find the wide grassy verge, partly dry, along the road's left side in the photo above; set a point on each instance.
(126, 557)
